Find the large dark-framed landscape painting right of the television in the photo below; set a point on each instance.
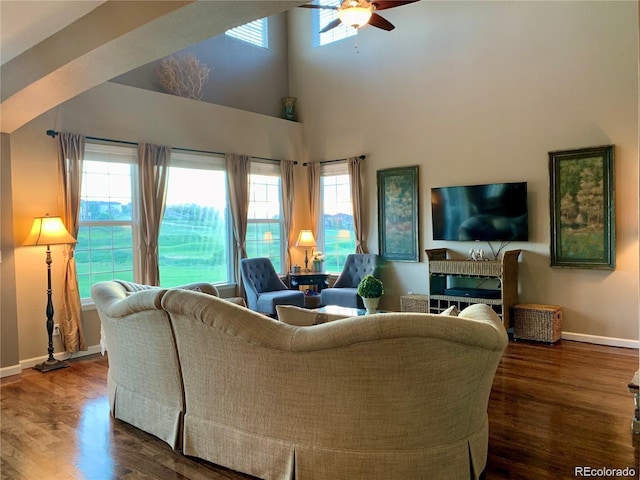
(582, 204)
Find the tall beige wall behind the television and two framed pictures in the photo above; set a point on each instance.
(480, 92)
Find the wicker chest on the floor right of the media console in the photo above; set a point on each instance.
(541, 323)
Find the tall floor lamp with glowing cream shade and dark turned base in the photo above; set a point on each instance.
(49, 231)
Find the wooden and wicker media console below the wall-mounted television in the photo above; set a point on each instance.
(442, 294)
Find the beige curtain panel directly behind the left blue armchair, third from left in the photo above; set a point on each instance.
(238, 169)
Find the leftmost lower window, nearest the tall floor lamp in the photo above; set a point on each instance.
(108, 216)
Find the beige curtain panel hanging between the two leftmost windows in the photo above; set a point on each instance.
(153, 163)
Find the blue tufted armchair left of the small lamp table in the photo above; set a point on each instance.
(264, 288)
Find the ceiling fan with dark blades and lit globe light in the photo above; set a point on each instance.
(358, 13)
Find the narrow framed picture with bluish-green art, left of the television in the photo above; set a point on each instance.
(398, 214)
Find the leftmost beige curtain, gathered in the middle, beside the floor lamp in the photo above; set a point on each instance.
(70, 159)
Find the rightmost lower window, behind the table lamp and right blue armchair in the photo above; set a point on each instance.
(337, 233)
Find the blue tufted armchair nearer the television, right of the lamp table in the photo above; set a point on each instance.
(344, 291)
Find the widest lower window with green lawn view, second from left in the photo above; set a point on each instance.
(194, 236)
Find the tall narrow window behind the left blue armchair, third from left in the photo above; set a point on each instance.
(264, 228)
